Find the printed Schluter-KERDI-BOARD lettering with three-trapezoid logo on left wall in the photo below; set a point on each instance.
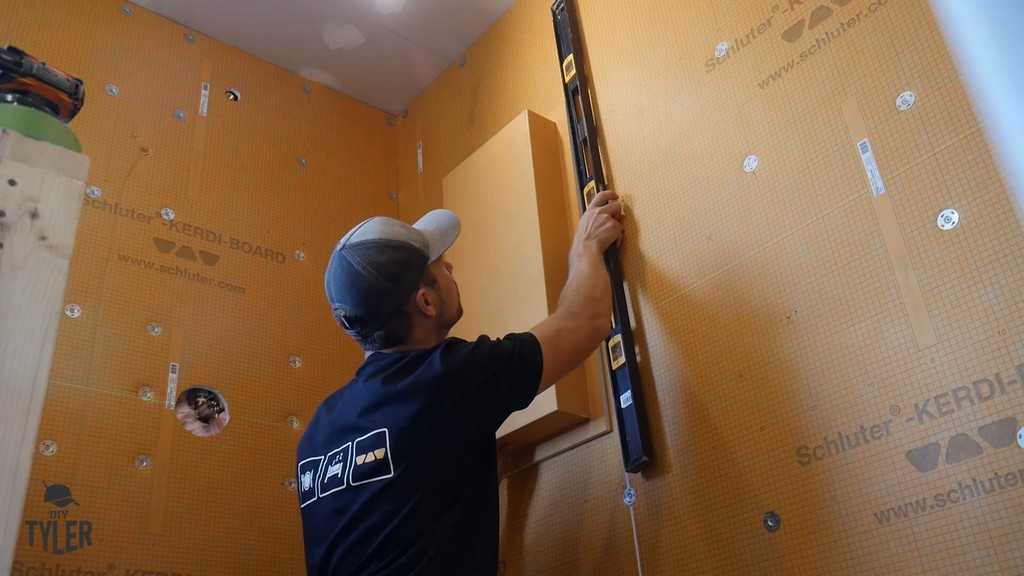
(190, 231)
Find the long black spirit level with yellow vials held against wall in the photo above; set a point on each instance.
(630, 416)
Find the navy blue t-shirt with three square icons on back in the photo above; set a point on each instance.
(398, 470)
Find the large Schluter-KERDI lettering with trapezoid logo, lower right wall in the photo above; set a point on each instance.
(960, 448)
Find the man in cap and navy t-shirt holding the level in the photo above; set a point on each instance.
(398, 470)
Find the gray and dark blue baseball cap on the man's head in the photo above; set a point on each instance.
(377, 267)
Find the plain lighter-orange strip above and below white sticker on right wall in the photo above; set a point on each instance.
(900, 256)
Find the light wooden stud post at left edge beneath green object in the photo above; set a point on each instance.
(41, 189)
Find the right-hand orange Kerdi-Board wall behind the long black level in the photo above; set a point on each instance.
(807, 348)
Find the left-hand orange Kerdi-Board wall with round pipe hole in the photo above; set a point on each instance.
(252, 183)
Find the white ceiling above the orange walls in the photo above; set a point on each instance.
(383, 53)
